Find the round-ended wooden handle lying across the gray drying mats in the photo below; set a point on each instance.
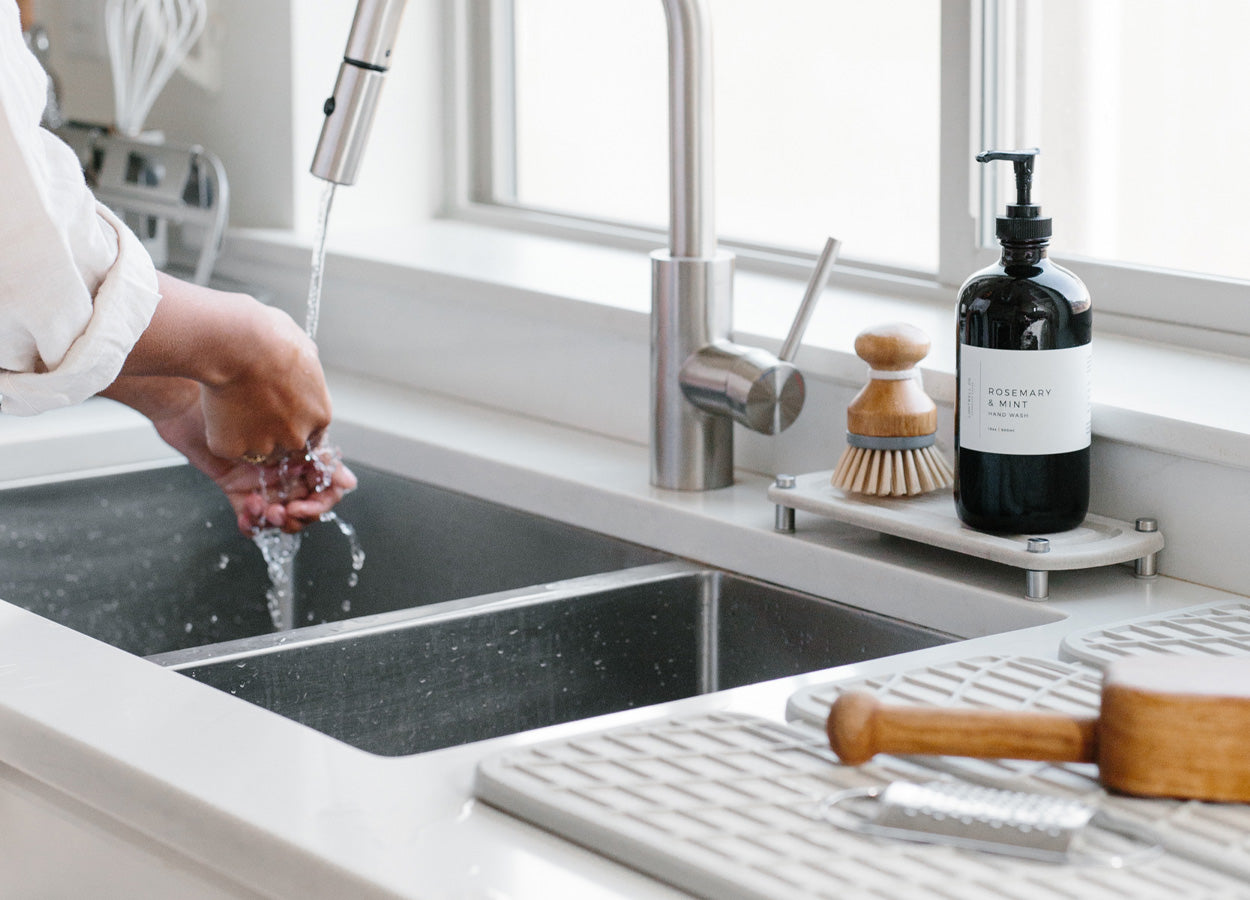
(861, 727)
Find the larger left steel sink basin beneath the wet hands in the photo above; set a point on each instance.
(151, 562)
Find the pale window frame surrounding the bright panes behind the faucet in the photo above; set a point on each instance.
(977, 36)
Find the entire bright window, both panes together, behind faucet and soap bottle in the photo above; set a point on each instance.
(839, 117)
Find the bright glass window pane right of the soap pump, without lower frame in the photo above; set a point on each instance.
(1141, 111)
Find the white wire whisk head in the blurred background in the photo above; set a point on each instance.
(148, 41)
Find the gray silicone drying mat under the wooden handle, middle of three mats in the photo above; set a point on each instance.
(1216, 834)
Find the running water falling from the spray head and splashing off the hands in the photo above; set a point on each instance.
(278, 548)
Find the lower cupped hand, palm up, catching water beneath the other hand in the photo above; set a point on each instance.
(287, 493)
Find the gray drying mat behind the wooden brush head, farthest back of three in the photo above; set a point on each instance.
(1219, 629)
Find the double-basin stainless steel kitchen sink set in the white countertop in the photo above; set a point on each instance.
(468, 621)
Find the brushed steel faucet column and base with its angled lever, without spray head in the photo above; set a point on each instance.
(702, 383)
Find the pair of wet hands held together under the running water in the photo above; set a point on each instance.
(237, 387)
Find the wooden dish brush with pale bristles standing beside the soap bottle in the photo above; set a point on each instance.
(892, 424)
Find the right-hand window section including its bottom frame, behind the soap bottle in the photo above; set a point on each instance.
(1138, 109)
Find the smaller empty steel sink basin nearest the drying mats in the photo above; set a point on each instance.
(467, 671)
